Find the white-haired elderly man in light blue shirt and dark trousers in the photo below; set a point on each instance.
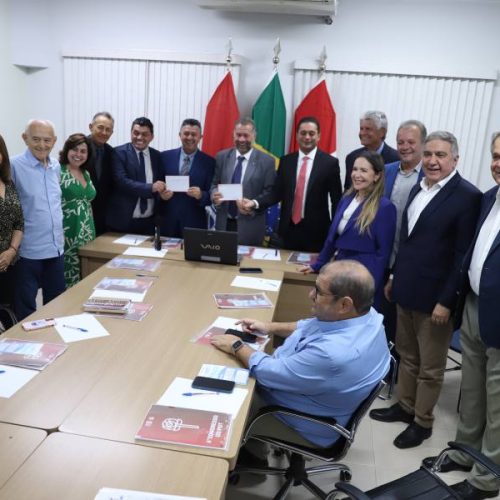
(36, 176)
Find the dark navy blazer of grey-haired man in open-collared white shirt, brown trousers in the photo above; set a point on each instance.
(427, 266)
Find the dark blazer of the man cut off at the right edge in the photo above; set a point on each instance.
(489, 284)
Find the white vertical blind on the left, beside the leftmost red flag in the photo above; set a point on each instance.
(164, 91)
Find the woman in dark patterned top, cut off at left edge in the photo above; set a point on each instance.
(11, 227)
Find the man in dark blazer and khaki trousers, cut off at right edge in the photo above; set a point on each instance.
(479, 420)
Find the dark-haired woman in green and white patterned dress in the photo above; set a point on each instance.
(77, 193)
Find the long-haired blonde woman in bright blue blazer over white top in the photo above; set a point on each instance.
(364, 224)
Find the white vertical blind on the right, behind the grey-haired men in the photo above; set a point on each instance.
(459, 105)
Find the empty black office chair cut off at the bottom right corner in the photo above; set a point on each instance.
(421, 484)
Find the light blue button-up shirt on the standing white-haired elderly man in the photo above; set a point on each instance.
(40, 194)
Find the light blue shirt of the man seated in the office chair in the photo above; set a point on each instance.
(325, 368)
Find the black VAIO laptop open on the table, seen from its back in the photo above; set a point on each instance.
(208, 245)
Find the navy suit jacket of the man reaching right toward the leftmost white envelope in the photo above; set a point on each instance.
(126, 185)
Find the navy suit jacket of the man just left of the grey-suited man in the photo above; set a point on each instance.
(182, 210)
